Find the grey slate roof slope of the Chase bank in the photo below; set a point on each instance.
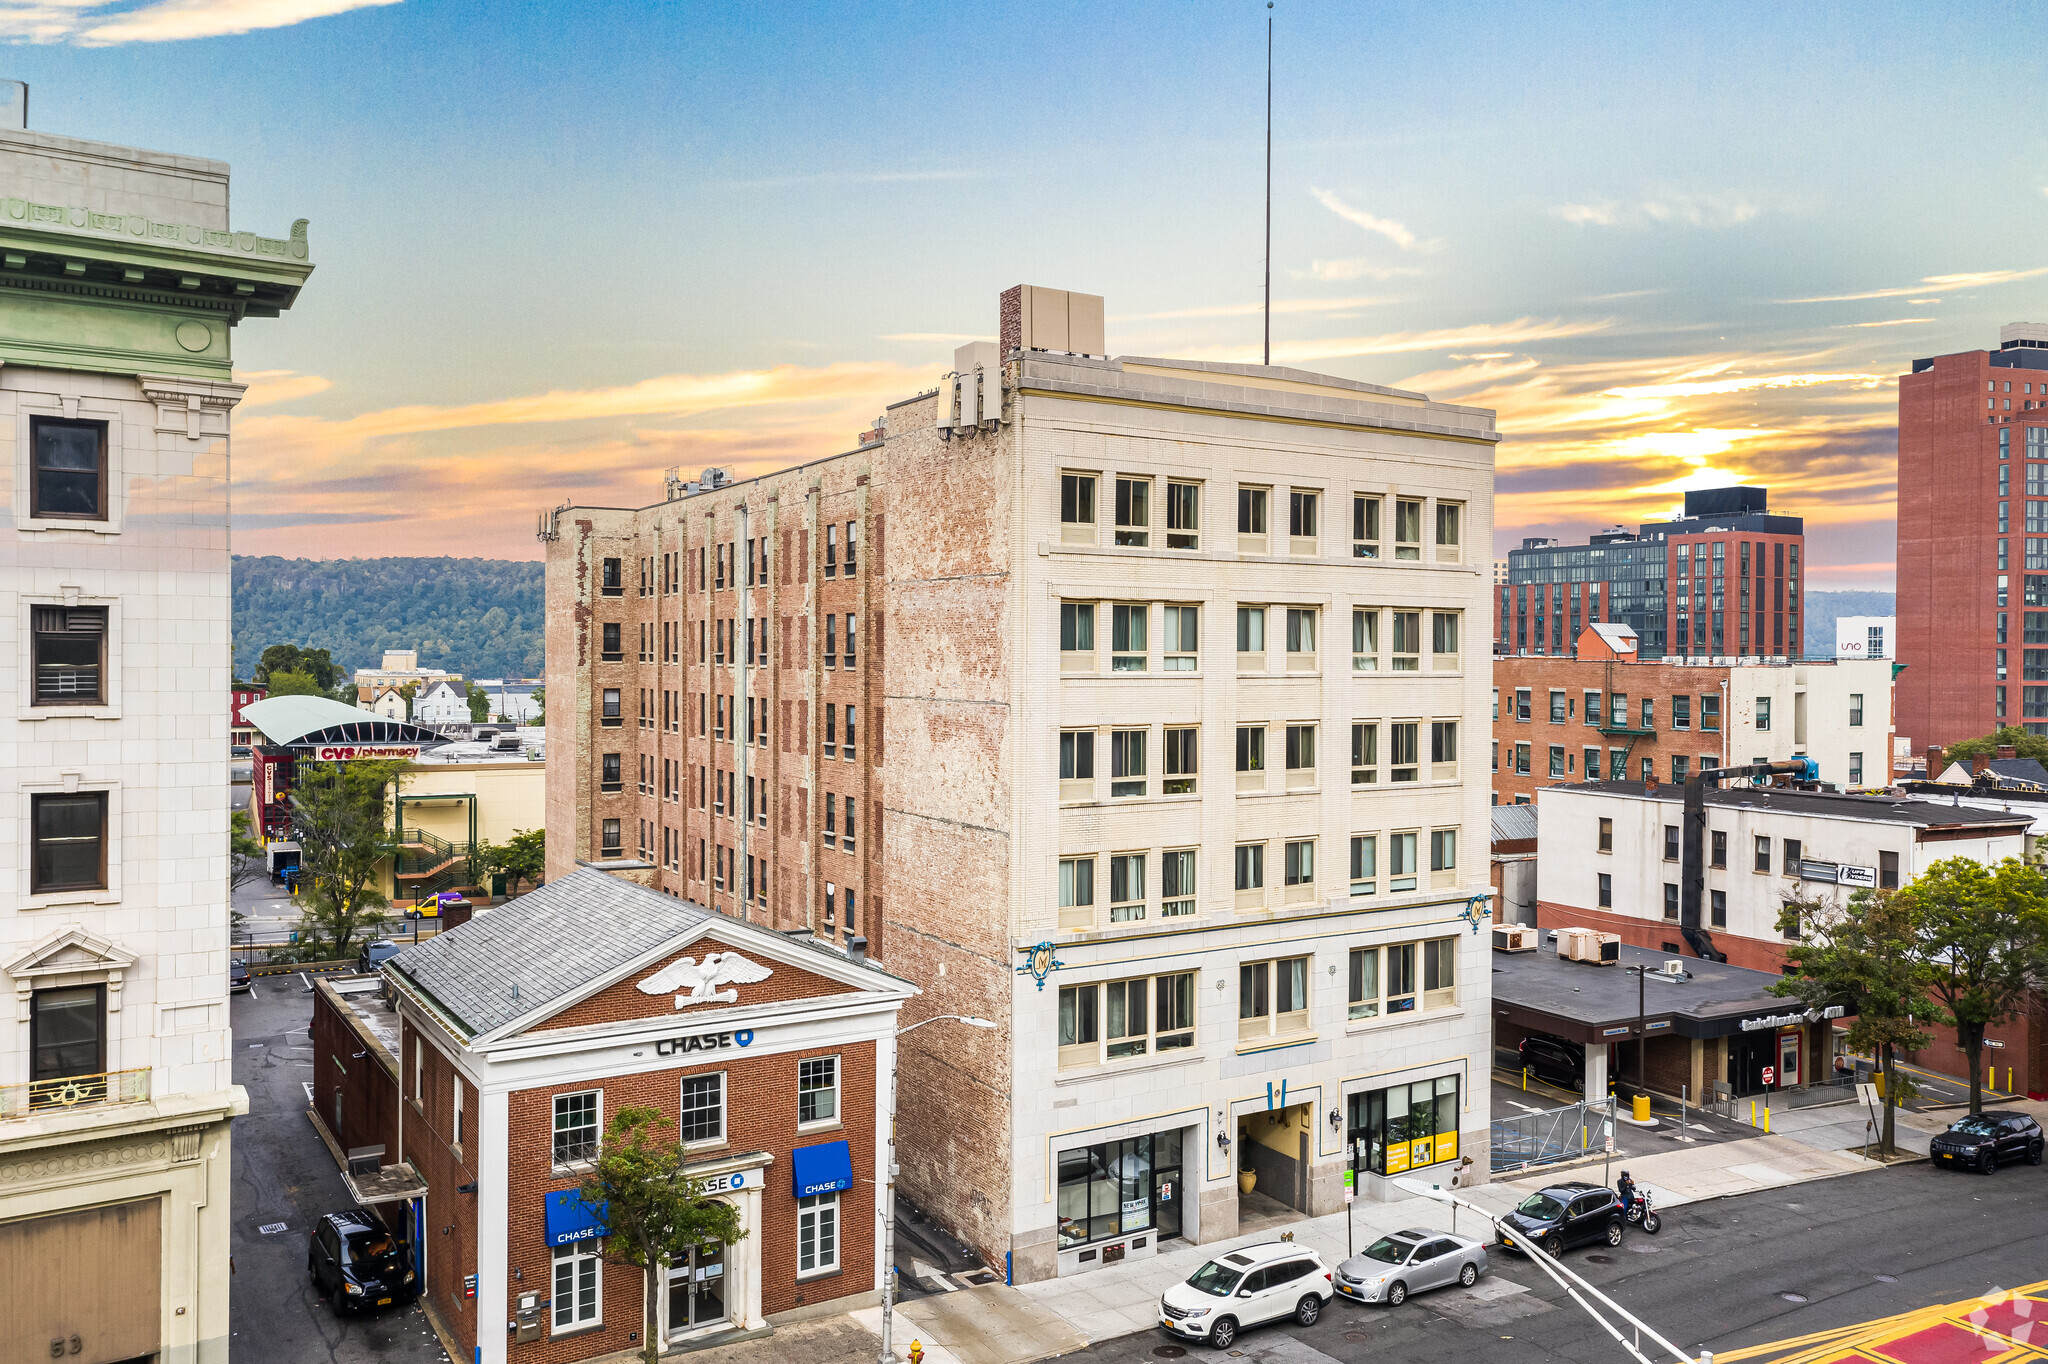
(550, 943)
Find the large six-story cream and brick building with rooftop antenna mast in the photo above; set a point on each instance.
(1129, 704)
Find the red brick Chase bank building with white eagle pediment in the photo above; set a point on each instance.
(519, 1037)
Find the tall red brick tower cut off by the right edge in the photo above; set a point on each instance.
(1973, 542)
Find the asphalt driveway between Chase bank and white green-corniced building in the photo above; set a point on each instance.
(286, 1177)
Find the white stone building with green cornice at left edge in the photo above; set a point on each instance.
(120, 288)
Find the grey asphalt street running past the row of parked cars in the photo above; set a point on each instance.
(1717, 1277)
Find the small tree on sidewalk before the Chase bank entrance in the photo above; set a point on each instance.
(652, 1207)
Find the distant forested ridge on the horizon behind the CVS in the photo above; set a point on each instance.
(478, 617)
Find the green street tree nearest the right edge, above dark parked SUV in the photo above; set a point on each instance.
(1981, 941)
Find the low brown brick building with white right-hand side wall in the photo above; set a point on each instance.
(1607, 716)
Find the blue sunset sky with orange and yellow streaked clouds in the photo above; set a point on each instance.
(564, 247)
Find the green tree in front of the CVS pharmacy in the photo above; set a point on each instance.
(339, 818)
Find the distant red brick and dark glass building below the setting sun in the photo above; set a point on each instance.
(1719, 581)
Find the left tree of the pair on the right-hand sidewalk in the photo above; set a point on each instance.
(1861, 957)
